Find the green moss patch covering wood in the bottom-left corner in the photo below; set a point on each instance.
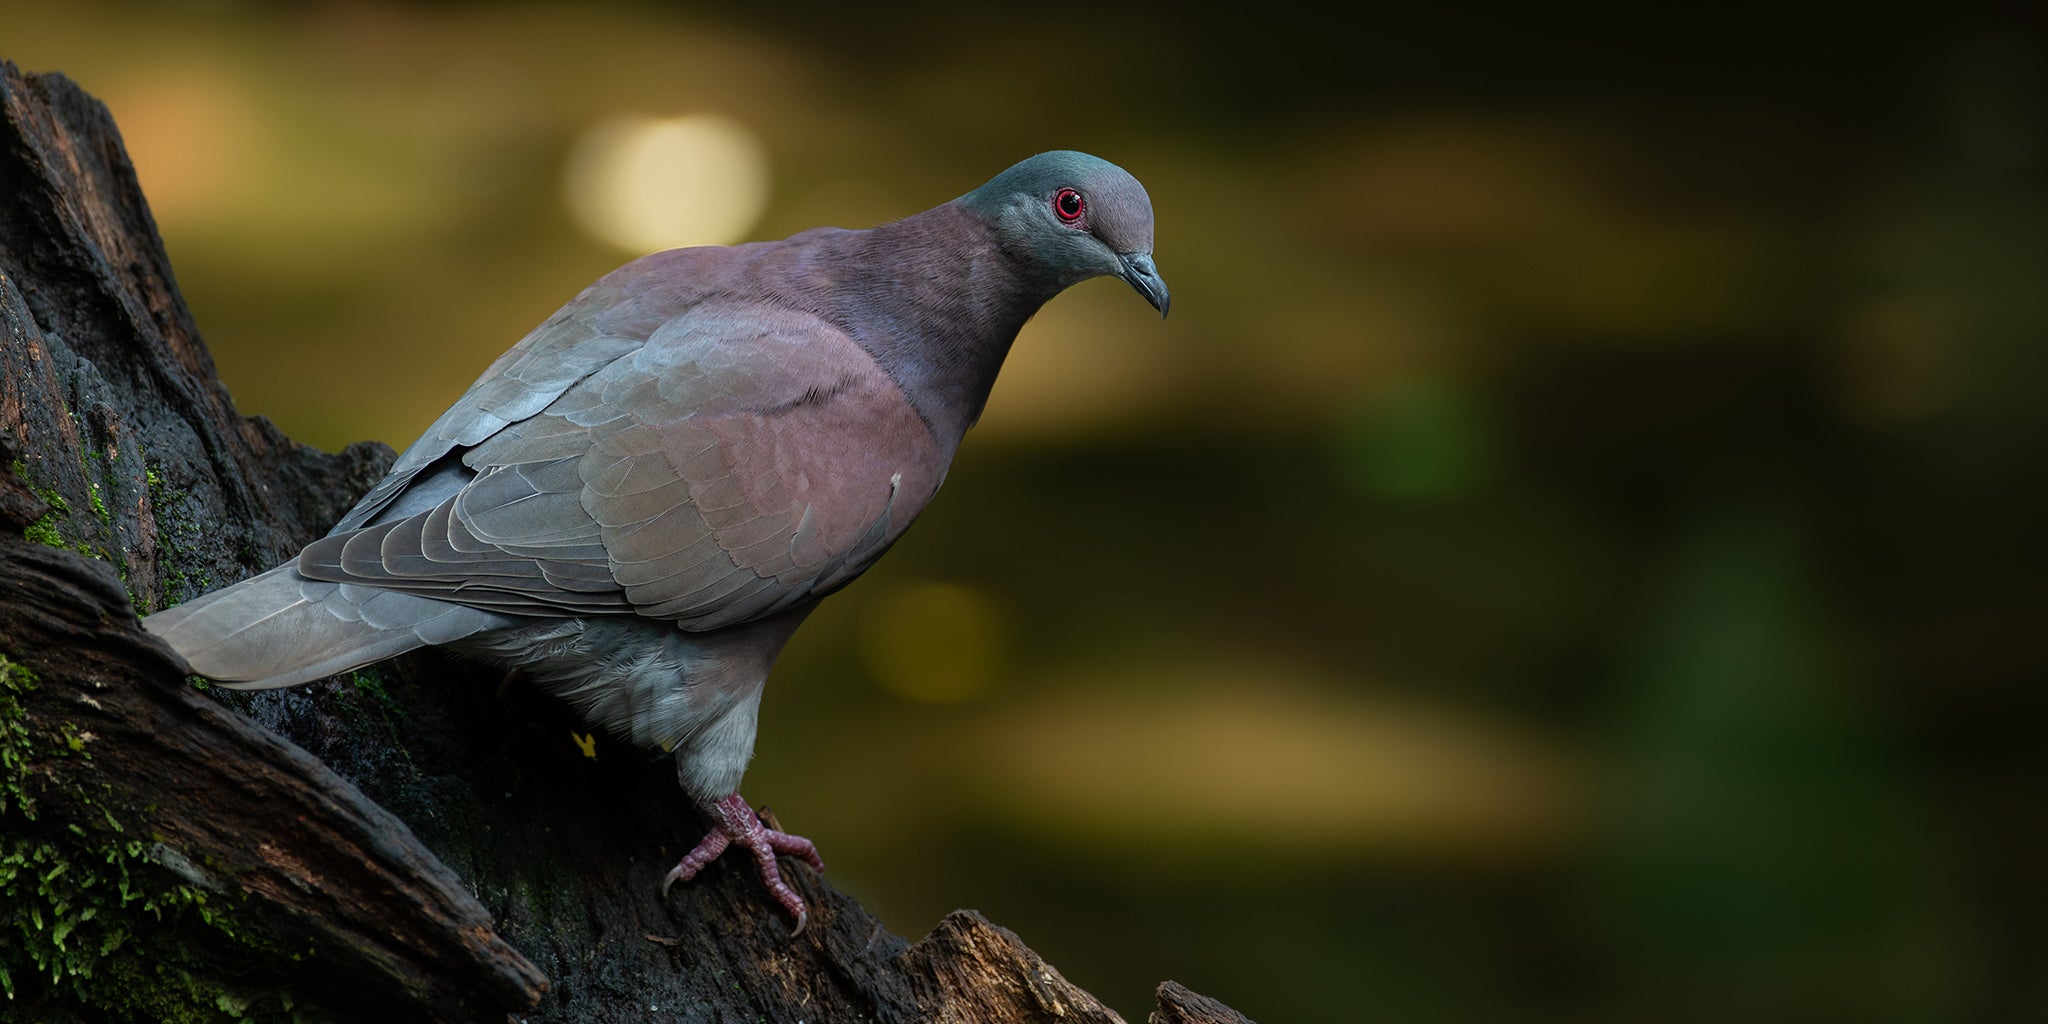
(99, 923)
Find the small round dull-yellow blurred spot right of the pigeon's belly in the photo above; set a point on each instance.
(935, 644)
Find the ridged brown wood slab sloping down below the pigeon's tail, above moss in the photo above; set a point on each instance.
(224, 806)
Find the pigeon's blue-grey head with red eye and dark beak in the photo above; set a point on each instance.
(1074, 218)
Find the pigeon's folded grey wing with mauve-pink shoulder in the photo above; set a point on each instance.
(740, 462)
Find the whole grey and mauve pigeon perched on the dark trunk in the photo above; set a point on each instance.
(642, 501)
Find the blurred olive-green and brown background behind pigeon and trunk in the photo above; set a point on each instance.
(1574, 554)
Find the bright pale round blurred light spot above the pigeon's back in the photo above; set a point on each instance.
(656, 183)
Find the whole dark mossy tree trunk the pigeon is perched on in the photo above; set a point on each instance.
(171, 853)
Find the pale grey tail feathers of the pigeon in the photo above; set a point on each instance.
(282, 630)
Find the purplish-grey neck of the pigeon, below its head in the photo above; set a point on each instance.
(937, 302)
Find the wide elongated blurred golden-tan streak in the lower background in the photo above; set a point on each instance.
(1244, 761)
